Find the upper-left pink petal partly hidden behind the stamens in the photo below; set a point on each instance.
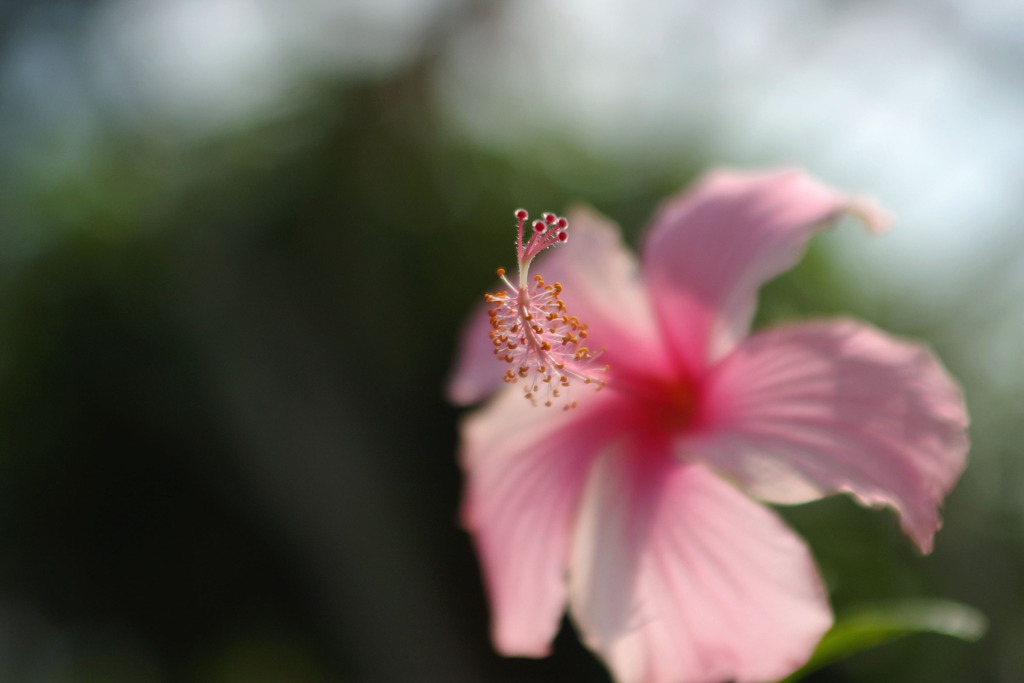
(602, 287)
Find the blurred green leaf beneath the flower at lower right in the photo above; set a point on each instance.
(870, 627)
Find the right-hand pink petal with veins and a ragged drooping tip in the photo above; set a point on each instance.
(818, 409)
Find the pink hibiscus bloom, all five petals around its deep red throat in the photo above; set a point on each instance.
(637, 509)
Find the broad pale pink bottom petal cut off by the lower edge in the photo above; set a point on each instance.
(678, 578)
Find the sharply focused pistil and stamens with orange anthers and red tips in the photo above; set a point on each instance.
(532, 329)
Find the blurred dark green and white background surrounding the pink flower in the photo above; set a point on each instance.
(238, 239)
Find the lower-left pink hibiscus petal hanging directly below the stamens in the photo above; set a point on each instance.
(525, 468)
